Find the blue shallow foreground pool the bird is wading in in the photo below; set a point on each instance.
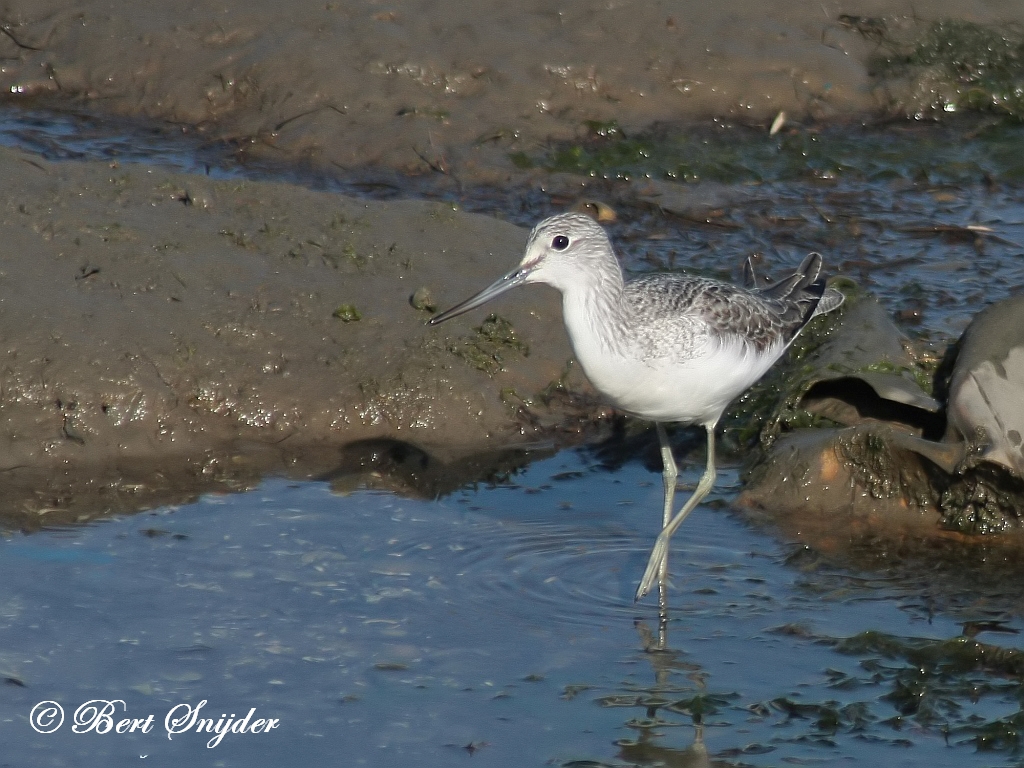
(496, 624)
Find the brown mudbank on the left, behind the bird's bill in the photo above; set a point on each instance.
(166, 326)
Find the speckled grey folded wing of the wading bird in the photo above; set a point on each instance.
(724, 310)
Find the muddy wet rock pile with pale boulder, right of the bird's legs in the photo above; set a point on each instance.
(881, 451)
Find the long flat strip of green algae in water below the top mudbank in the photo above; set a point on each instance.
(963, 151)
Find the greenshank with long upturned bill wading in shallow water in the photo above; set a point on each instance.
(664, 348)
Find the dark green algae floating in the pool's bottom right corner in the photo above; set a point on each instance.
(900, 691)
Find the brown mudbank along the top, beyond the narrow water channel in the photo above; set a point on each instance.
(442, 87)
